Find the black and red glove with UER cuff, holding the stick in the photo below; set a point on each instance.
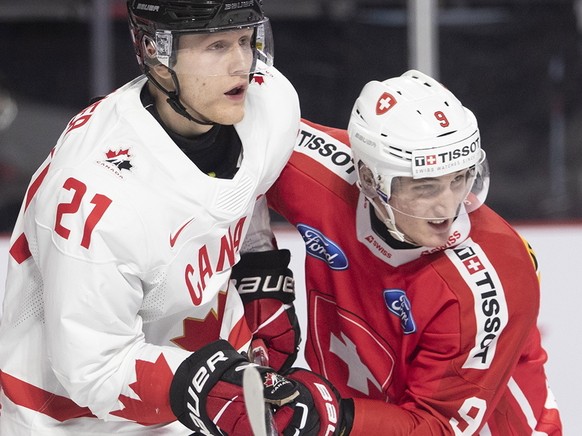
(206, 392)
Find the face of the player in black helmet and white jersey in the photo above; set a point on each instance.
(213, 71)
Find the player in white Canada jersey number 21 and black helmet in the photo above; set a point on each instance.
(119, 315)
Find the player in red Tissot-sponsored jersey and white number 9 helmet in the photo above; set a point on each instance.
(422, 301)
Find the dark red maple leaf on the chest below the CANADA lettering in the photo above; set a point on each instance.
(200, 332)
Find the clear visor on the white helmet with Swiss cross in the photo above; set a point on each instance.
(439, 198)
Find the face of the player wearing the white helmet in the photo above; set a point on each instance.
(424, 209)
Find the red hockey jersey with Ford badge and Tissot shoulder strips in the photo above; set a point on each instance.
(427, 341)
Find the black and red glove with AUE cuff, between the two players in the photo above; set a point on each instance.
(266, 286)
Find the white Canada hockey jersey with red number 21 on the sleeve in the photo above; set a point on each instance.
(120, 262)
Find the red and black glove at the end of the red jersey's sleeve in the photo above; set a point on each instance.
(318, 410)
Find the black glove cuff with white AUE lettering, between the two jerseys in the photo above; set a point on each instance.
(264, 274)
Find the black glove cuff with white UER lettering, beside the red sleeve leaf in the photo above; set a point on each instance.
(194, 379)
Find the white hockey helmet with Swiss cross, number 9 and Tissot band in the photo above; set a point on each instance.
(412, 126)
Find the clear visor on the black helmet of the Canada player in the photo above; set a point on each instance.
(240, 51)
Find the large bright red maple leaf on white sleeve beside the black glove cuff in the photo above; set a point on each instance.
(152, 385)
